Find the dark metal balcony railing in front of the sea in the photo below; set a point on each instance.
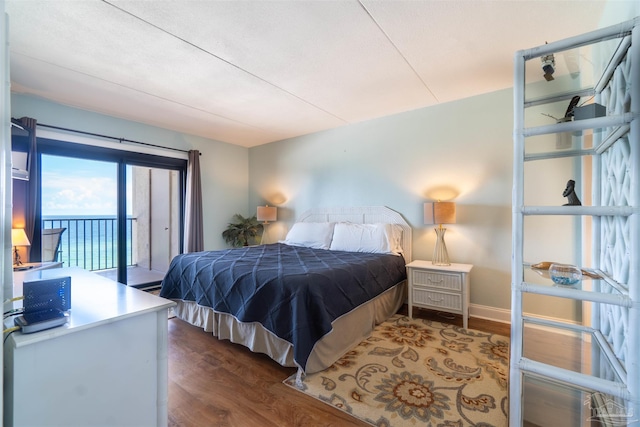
(91, 243)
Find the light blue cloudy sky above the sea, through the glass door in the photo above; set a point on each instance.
(79, 187)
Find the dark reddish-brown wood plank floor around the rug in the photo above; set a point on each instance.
(216, 383)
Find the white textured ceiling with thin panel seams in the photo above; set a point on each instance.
(253, 72)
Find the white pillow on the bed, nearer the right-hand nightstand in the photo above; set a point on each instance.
(372, 238)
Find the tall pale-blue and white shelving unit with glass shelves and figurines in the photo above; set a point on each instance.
(603, 379)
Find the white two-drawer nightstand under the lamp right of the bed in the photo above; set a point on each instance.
(439, 287)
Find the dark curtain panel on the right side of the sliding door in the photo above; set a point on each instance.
(193, 225)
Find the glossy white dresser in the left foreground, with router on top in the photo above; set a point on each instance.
(107, 366)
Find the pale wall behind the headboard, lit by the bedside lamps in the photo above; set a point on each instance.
(459, 151)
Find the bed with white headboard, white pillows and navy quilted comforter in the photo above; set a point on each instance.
(305, 301)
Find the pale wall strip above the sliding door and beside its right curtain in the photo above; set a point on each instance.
(224, 167)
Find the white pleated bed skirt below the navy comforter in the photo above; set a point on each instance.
(348, 330)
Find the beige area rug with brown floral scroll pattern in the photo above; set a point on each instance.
(418, 373)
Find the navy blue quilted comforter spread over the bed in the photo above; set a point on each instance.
(295, 292)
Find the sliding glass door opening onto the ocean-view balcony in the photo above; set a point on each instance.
(120, 213)
